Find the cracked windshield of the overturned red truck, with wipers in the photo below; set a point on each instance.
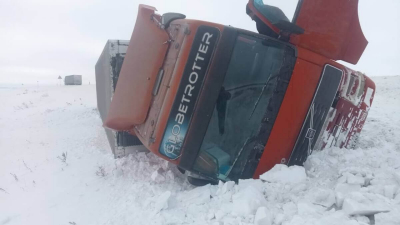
(241, 106)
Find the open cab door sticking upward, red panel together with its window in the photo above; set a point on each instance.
(330, 27)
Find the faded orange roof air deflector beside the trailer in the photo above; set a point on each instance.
(144, 58)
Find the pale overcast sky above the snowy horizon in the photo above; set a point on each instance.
(42, 39)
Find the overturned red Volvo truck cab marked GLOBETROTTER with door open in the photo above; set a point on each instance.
(225, 104)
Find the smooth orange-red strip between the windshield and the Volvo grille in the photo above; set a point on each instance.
(291, 115)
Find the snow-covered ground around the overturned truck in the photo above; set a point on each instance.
(56, 168)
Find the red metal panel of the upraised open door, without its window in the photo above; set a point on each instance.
(332, 29)
